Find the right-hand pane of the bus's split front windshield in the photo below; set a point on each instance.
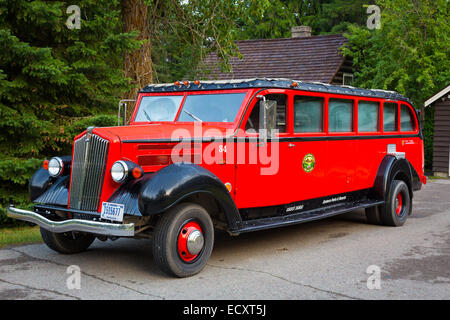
(211, 107)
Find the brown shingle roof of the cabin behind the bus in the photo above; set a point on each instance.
(314, 58)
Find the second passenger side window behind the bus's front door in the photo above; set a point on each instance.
(340, 113)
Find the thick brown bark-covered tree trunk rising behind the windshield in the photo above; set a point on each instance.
(138, 64)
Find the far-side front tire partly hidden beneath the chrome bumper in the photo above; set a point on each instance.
(67, 242)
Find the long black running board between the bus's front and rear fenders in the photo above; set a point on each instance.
(301, 217)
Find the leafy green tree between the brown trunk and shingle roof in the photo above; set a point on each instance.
(184, 32)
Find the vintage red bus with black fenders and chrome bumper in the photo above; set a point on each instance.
(239, 155)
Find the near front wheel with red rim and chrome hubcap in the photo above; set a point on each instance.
(183, 240)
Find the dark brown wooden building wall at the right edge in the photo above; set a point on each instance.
(441, 140)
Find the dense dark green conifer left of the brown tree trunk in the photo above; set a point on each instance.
(54, 81)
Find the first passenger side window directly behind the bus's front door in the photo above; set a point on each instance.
(308, 114)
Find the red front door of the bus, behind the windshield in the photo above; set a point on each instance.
(262, 171)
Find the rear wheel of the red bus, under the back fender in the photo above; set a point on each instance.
(398, 205)
